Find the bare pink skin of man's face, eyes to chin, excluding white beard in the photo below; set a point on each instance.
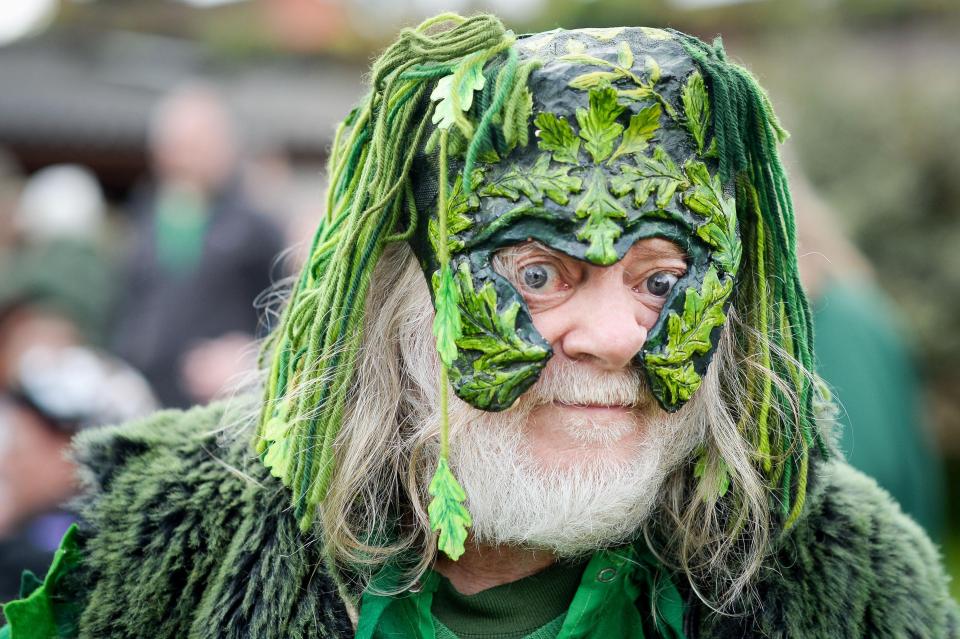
(596, 319)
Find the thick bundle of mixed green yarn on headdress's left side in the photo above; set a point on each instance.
(370, 204)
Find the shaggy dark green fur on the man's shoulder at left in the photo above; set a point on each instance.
(189, 536)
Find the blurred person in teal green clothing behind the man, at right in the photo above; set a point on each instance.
(863, 355)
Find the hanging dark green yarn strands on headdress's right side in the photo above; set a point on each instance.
(746, 133)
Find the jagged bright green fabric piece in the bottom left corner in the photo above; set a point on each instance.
(47, 609)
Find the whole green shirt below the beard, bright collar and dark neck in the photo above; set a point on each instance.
(620, 593)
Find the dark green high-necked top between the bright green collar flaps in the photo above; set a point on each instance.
(508, 611)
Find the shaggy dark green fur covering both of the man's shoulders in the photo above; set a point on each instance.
(177, 543)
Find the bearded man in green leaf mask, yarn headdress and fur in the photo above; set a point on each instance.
(634, 440)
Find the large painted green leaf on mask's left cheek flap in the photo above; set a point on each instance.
(503, 360)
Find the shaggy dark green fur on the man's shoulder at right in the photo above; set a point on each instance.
(853, 566)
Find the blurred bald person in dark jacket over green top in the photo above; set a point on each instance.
(201, 255)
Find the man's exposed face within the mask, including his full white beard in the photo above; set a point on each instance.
(578, 461)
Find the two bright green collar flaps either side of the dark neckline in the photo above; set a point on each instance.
(622, 593)
